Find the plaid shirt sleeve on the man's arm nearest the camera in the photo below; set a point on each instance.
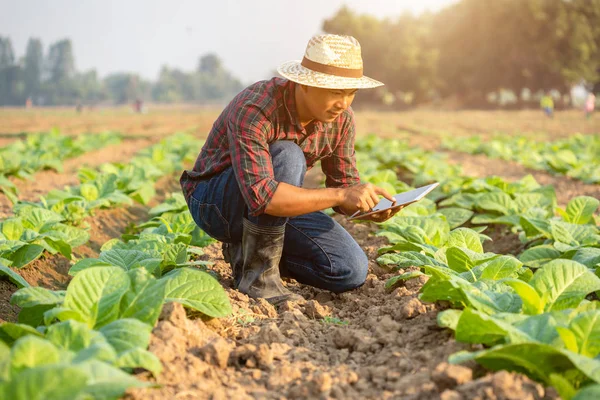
(248, 133)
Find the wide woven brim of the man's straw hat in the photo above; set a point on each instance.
(294, 71)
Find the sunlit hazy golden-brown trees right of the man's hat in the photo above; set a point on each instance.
(474, 48)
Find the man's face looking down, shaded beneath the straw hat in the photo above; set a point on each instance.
(326, 105)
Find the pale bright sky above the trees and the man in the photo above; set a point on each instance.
(252, 37)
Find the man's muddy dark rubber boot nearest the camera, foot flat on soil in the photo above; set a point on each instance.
(262, 247)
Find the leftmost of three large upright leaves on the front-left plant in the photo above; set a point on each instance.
(95, 294)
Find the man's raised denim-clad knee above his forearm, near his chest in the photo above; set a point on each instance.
(289, 163)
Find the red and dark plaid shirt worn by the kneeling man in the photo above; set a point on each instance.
(261, 114)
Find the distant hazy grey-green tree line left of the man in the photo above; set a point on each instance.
(52, 79)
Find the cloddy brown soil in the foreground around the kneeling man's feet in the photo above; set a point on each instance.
(365, 344)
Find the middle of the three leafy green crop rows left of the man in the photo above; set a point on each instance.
(55, 224)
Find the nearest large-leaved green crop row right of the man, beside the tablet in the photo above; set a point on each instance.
(532, 311)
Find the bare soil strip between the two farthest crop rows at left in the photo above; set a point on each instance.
(44, 181)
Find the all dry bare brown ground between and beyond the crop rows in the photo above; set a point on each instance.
(368, 343)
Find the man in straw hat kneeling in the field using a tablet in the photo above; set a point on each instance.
(246, 186)
